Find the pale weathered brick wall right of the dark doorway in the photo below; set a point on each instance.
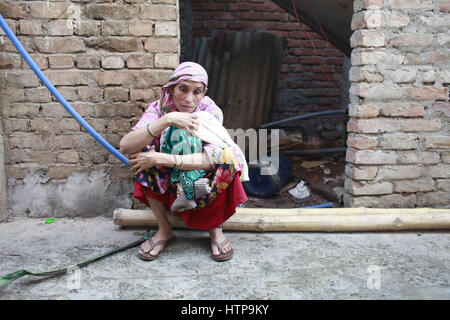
(399, 141)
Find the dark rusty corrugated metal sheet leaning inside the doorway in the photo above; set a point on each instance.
(243, 69)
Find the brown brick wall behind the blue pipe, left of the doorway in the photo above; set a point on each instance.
(108, 59)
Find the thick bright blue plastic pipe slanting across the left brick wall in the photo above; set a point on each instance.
(56, 93)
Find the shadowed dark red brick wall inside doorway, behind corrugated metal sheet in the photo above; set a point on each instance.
(303, 86)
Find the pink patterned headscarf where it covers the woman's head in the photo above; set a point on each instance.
(186, 71)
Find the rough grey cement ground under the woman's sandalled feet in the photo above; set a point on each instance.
(387, 265)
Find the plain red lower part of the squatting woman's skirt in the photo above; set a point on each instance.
(212, 216)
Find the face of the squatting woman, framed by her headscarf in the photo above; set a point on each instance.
(187, 95)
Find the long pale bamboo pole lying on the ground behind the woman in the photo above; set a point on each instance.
(325, 220)
